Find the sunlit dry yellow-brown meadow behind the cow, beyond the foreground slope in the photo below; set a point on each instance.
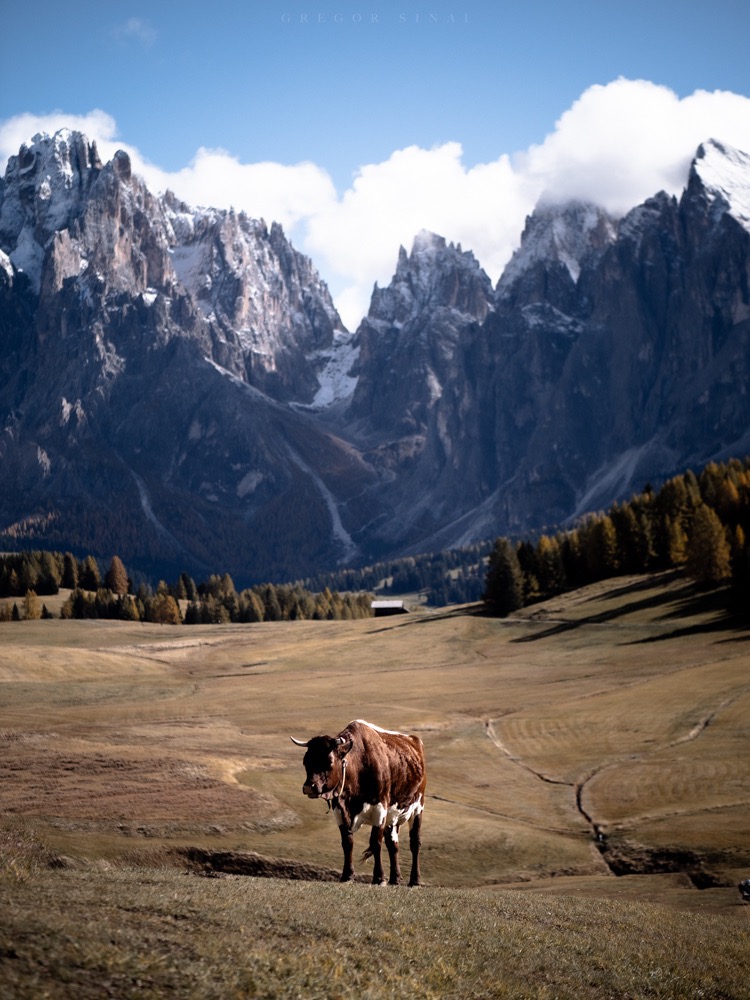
(620, 710)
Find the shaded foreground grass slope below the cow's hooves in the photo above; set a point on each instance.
(156, 933)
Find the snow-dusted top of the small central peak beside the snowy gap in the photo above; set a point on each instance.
(436, 274)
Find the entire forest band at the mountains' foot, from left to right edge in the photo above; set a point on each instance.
(699, 524)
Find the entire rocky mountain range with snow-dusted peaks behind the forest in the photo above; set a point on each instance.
(177, 387)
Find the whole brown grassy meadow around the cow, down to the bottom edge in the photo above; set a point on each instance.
(588, 812)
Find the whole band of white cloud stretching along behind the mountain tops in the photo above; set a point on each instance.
(616, 145)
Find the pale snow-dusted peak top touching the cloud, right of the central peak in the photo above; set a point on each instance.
(574, 234)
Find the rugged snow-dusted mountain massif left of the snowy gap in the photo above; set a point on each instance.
(146, 352)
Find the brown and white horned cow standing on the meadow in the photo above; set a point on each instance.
(375, 777)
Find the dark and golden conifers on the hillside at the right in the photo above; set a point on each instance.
(700, 524)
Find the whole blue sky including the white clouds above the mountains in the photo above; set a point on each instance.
(407, 114)
